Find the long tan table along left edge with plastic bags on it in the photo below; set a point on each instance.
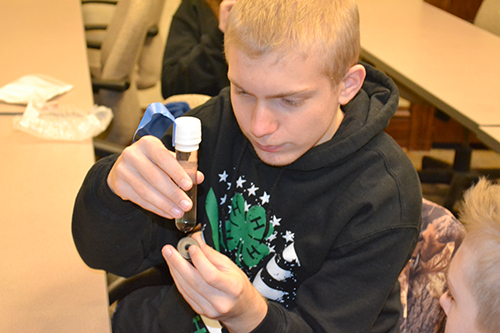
(44, 285)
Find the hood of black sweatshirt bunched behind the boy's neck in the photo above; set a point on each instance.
(365, 117)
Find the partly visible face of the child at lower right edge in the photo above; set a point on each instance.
(458, 303)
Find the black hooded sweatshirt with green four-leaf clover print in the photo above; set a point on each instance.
(323, 239)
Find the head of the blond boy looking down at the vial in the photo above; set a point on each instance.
(292, 64)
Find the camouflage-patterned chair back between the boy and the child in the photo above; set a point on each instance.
(423, 280)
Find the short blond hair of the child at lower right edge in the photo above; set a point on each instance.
(480, 213)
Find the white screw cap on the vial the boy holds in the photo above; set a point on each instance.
(187, 133)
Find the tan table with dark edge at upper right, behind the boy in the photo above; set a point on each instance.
(448, 62)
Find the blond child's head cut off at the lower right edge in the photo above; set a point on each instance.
(473, 303)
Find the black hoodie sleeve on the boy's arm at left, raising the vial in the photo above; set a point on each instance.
(115, 235)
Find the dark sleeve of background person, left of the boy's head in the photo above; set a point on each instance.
(193, 61)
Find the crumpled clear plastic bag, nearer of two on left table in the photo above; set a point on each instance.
(52, 120)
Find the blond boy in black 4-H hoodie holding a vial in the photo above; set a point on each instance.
(308, 210)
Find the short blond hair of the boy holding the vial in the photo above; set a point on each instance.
(327, 28)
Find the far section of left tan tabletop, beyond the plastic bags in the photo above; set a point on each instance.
(45, 37)
